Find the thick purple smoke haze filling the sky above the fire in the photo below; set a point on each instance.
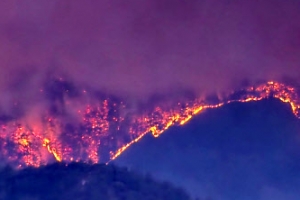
(138, 48)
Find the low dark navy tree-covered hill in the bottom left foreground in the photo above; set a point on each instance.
(78, 181)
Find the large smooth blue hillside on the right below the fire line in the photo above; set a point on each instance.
(241, 151)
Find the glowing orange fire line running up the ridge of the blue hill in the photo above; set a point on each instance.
(280, 91)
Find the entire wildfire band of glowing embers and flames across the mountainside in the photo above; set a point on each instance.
(106, 129)
